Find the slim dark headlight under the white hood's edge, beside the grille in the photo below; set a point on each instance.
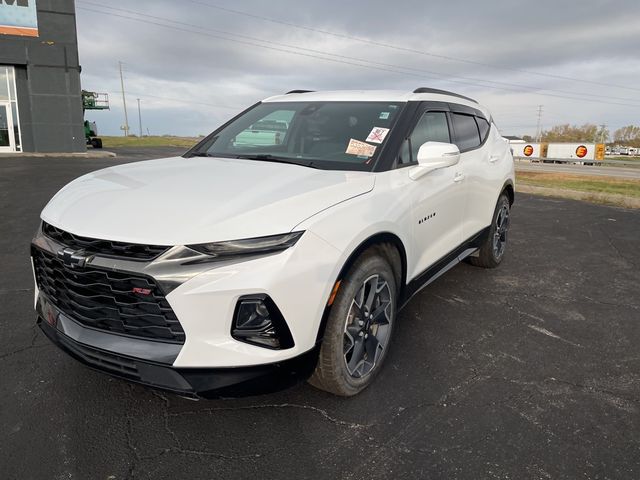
(248, 246)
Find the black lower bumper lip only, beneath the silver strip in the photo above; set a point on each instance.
(192, 382)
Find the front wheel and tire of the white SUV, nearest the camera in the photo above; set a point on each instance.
(351, 338)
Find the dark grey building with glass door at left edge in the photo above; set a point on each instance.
(40, 100)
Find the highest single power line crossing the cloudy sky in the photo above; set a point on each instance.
(406, 49)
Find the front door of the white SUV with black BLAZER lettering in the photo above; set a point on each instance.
(437, 197)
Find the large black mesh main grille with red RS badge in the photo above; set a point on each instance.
(106, 300)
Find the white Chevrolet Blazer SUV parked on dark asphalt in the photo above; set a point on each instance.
(243, 267)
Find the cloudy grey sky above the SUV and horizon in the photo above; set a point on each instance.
(195, 63)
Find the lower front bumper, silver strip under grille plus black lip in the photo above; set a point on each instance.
(121, 357)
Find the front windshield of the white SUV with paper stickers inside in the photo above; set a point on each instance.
(329, 135)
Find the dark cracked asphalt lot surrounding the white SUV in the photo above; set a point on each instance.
(531, 370)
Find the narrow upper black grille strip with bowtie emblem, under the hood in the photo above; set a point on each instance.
(93, 246)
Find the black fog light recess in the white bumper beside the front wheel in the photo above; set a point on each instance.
(258, 321)
